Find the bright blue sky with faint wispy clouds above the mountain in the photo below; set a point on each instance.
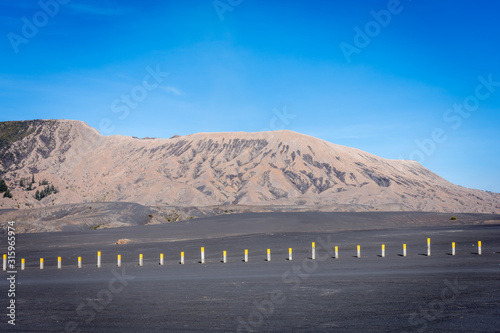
(403, 80)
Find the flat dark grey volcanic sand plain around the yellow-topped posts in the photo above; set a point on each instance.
(416, 293)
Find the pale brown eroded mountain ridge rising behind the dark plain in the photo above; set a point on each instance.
(278, 168)
